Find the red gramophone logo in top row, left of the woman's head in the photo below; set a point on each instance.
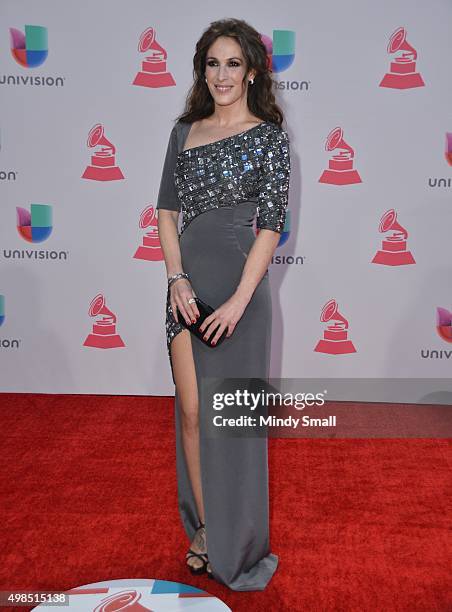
(153, 68)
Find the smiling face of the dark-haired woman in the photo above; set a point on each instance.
(225, 70)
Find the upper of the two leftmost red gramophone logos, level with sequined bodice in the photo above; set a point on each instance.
(103, 164)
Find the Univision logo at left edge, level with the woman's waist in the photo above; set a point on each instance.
(34, 225)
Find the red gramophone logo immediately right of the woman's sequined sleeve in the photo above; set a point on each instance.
(340, 166)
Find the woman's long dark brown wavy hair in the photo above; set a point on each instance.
(261, 99)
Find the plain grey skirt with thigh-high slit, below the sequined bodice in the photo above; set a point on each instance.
(234, 471)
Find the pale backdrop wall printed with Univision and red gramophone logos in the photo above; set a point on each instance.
(362, 275)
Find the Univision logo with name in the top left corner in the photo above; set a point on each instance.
(30, 50)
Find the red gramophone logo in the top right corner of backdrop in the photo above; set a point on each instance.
(402, 73)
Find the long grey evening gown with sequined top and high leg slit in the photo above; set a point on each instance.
(219, 188)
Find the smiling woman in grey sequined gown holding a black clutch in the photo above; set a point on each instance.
(227, 162)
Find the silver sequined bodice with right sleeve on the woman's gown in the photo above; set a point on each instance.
(236, 169)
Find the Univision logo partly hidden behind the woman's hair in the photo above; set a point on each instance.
(280, 56)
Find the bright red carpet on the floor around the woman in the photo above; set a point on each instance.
(89, 494)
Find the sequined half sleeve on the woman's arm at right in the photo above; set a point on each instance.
(273, 194)
